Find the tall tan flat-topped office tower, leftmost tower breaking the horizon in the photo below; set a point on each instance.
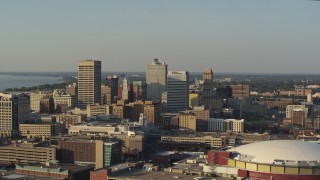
(89, 83)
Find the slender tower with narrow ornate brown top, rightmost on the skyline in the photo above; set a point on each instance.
(207, 96)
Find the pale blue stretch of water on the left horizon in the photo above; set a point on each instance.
(17, 81)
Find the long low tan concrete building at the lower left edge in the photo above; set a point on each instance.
(21, 153)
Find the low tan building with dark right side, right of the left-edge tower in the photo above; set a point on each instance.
(41, 130)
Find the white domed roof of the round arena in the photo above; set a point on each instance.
(288, 150)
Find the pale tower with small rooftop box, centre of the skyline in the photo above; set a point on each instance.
(156, 78)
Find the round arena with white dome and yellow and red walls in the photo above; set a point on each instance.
(278, 159)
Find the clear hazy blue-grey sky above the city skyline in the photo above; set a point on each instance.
(267, 36)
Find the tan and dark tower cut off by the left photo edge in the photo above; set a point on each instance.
(14, 109)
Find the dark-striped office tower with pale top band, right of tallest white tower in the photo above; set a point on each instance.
(177, 91)
